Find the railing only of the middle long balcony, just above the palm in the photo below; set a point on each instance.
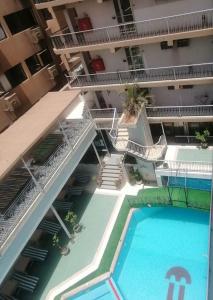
(172, 73)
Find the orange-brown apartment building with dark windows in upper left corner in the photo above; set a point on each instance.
(27, 67)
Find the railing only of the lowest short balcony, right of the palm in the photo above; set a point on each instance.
(179, 111)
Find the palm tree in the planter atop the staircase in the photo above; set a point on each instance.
(135, 98)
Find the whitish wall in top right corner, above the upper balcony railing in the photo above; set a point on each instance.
(148, 9)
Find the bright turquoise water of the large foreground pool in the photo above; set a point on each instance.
(160, 240)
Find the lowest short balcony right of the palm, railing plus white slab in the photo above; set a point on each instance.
(197, 113)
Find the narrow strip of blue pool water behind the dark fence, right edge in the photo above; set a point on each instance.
(193, 183)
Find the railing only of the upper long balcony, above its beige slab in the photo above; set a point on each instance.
(141, 29)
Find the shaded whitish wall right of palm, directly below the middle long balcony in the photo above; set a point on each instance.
(195, 96)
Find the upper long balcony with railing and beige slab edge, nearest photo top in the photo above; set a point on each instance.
(188, 25)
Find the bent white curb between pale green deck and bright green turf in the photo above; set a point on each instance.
(106, 275)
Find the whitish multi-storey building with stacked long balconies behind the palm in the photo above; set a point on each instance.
(165, 46)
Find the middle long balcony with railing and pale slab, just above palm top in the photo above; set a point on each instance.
(151, 77)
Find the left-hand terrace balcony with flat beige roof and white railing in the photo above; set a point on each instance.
(37, 169)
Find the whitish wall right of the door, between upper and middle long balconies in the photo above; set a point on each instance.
(200, 50)
